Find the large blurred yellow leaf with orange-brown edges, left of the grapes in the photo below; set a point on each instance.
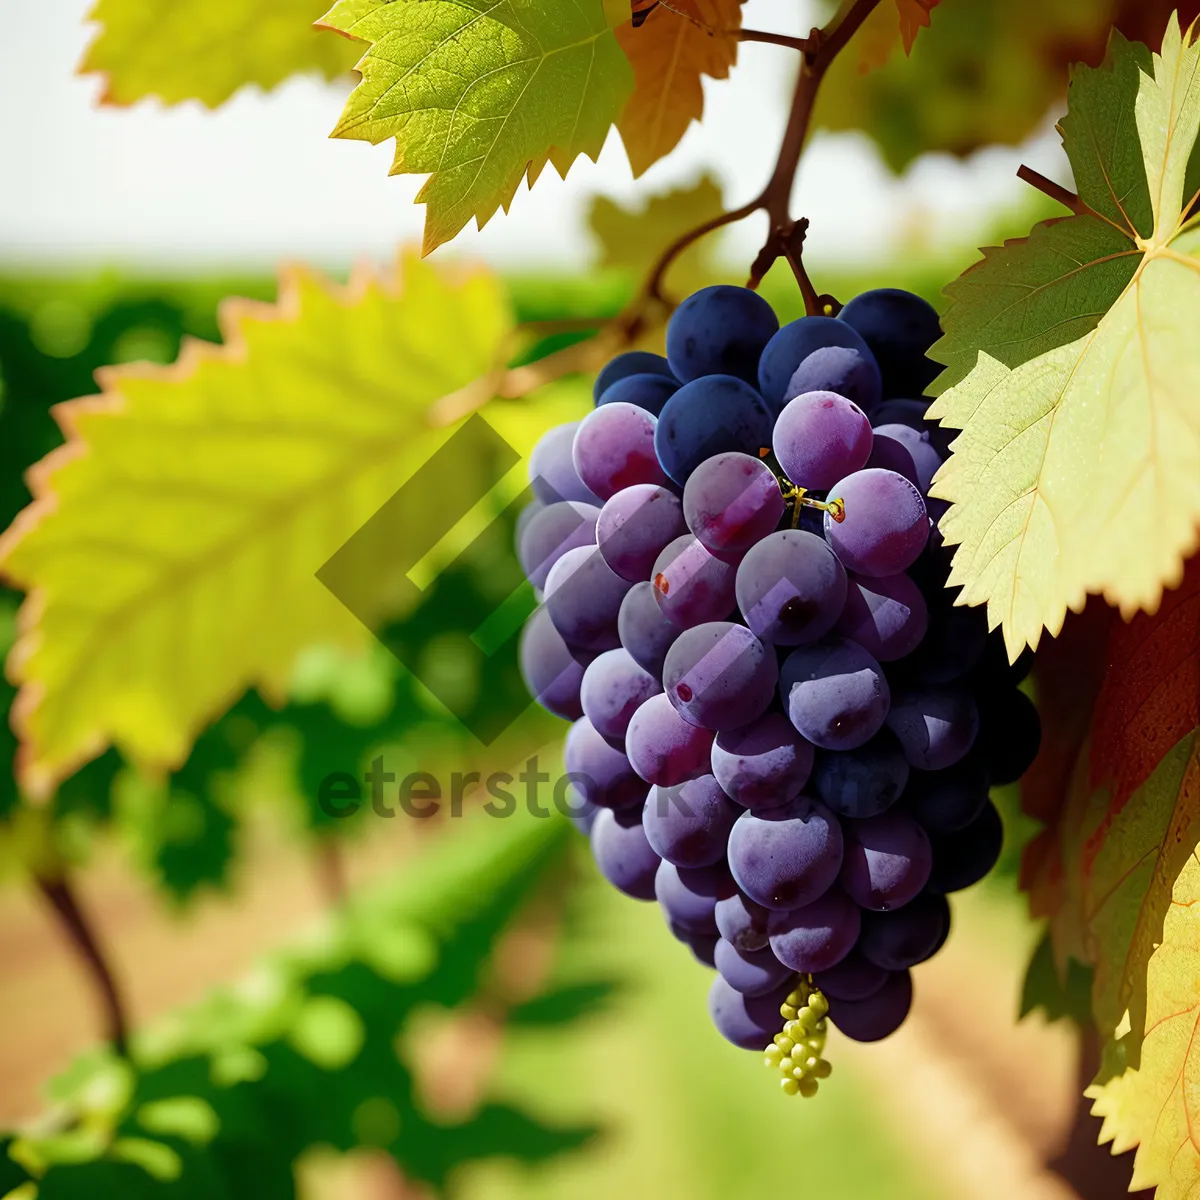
(173, 544)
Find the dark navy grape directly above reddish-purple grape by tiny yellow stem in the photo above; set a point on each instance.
(711, 416)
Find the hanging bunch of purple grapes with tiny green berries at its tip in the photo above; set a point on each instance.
(784, 733)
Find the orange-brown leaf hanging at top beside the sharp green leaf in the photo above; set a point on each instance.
(670, 53)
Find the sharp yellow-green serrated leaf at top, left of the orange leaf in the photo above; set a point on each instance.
(479, 93)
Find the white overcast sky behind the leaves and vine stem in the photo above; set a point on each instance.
(189, 190)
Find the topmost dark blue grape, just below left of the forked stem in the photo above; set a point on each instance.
(721, 331)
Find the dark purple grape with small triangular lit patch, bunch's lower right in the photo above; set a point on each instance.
(886, 862)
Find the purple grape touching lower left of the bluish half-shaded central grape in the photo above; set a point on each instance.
(763, 765)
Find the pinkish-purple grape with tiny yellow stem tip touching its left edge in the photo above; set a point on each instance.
(885, 527)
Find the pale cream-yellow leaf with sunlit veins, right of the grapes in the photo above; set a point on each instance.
(1079, 471)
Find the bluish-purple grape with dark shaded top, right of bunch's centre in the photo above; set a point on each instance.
(836, 694)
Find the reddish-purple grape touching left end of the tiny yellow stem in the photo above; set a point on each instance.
(731, 502)
